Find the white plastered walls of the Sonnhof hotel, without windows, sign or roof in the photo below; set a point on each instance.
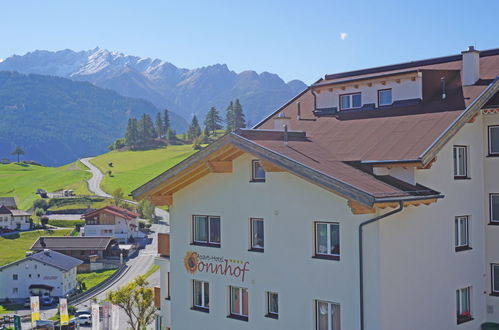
(412, 269)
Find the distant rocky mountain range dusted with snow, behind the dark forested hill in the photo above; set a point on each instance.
(184, 91)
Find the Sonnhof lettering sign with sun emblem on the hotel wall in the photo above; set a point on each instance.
(195, 262)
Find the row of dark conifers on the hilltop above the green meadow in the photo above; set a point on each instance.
(145, 133)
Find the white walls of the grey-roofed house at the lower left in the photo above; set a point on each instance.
(17, 278)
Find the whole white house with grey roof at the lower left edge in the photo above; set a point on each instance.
(46, 273)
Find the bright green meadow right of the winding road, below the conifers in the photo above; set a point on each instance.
(131, 169)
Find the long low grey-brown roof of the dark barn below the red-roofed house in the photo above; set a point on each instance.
(71, 243)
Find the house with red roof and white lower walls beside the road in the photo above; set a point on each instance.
(112, 221)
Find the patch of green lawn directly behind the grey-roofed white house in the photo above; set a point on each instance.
(14, 247)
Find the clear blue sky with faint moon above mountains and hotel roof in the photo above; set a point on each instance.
(295, 39)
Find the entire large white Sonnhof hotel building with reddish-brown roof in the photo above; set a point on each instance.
(368, 202)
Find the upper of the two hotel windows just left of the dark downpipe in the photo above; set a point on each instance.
(327, 240)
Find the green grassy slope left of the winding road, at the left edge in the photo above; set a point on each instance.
(21, 181)
